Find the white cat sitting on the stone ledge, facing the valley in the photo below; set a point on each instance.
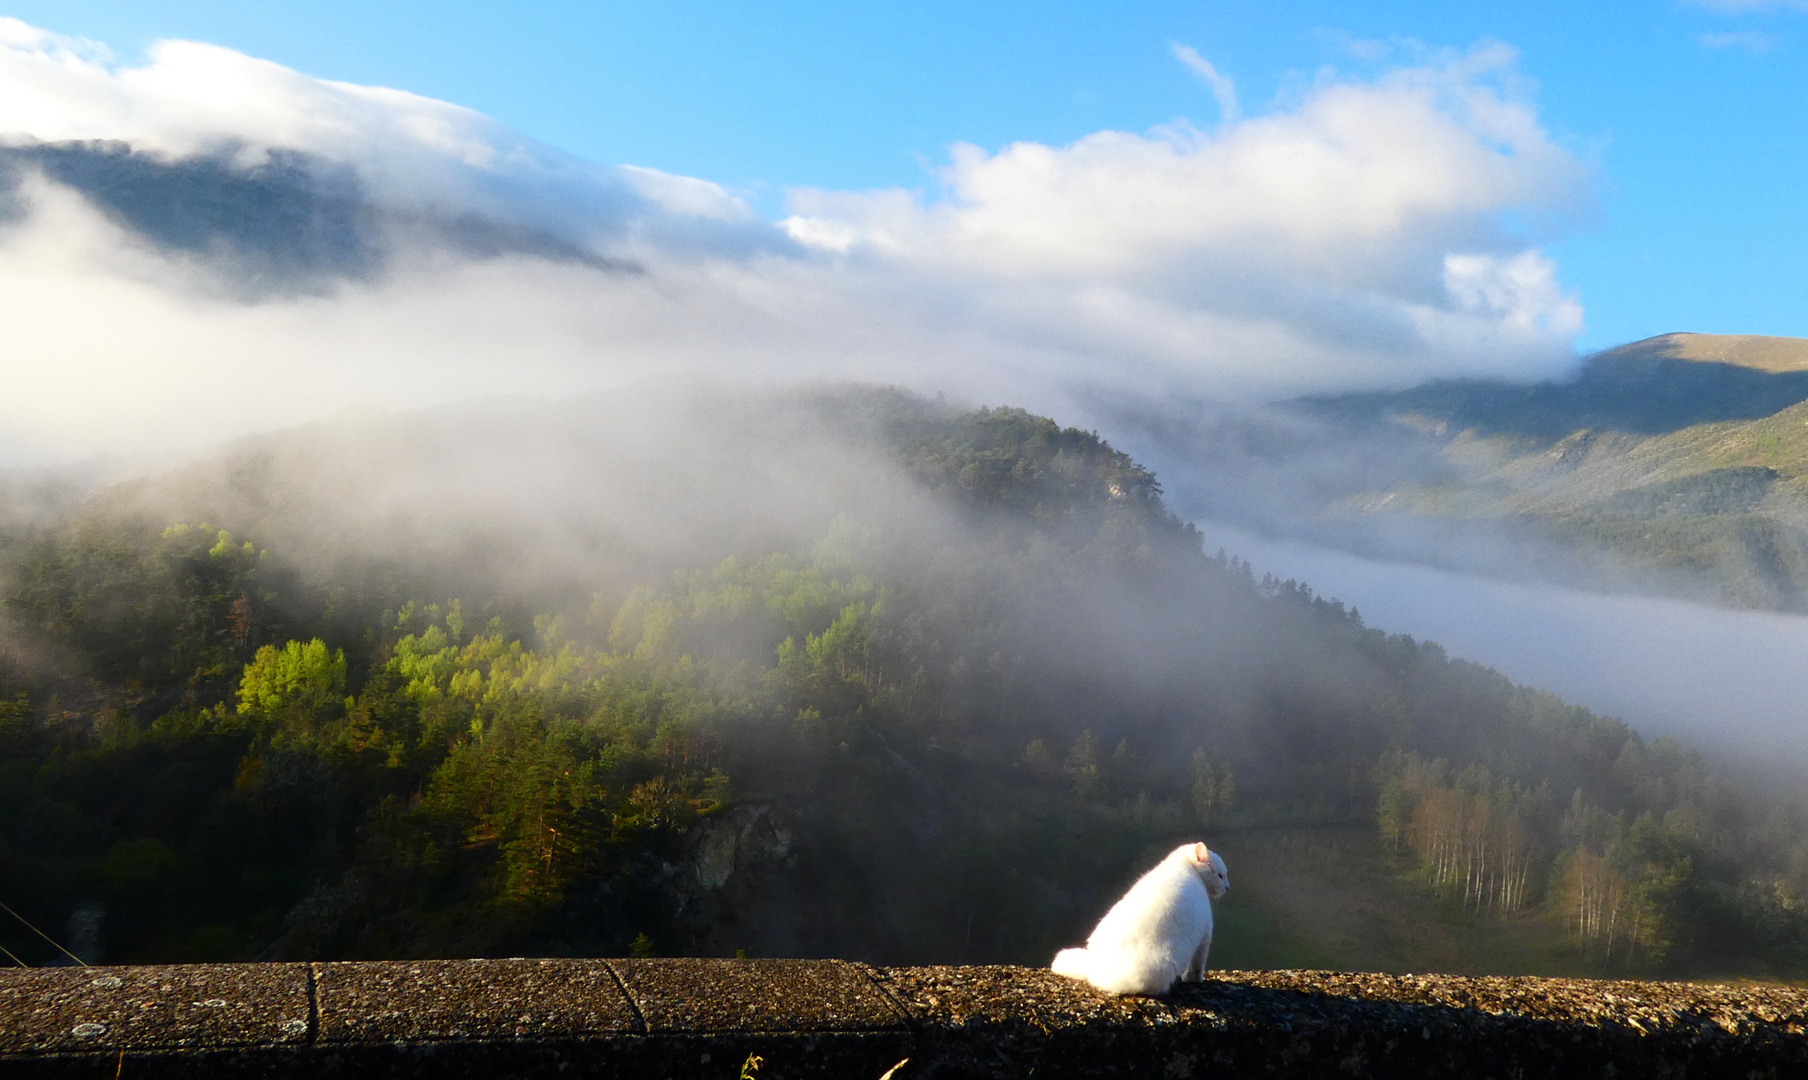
(1158, 933)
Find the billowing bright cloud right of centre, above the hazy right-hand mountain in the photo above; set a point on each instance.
(1341, 243)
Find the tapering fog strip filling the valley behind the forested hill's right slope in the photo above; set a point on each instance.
(1720, 679)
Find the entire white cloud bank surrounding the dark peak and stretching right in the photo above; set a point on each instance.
(1351, 240)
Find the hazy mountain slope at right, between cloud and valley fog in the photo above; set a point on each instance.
(1671, 466)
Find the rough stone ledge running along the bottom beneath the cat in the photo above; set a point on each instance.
(451, 1019)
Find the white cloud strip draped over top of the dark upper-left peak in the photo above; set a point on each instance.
(411, 151)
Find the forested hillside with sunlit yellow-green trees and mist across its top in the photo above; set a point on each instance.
(833, 674)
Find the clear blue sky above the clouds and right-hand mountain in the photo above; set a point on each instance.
(1693, 117)
